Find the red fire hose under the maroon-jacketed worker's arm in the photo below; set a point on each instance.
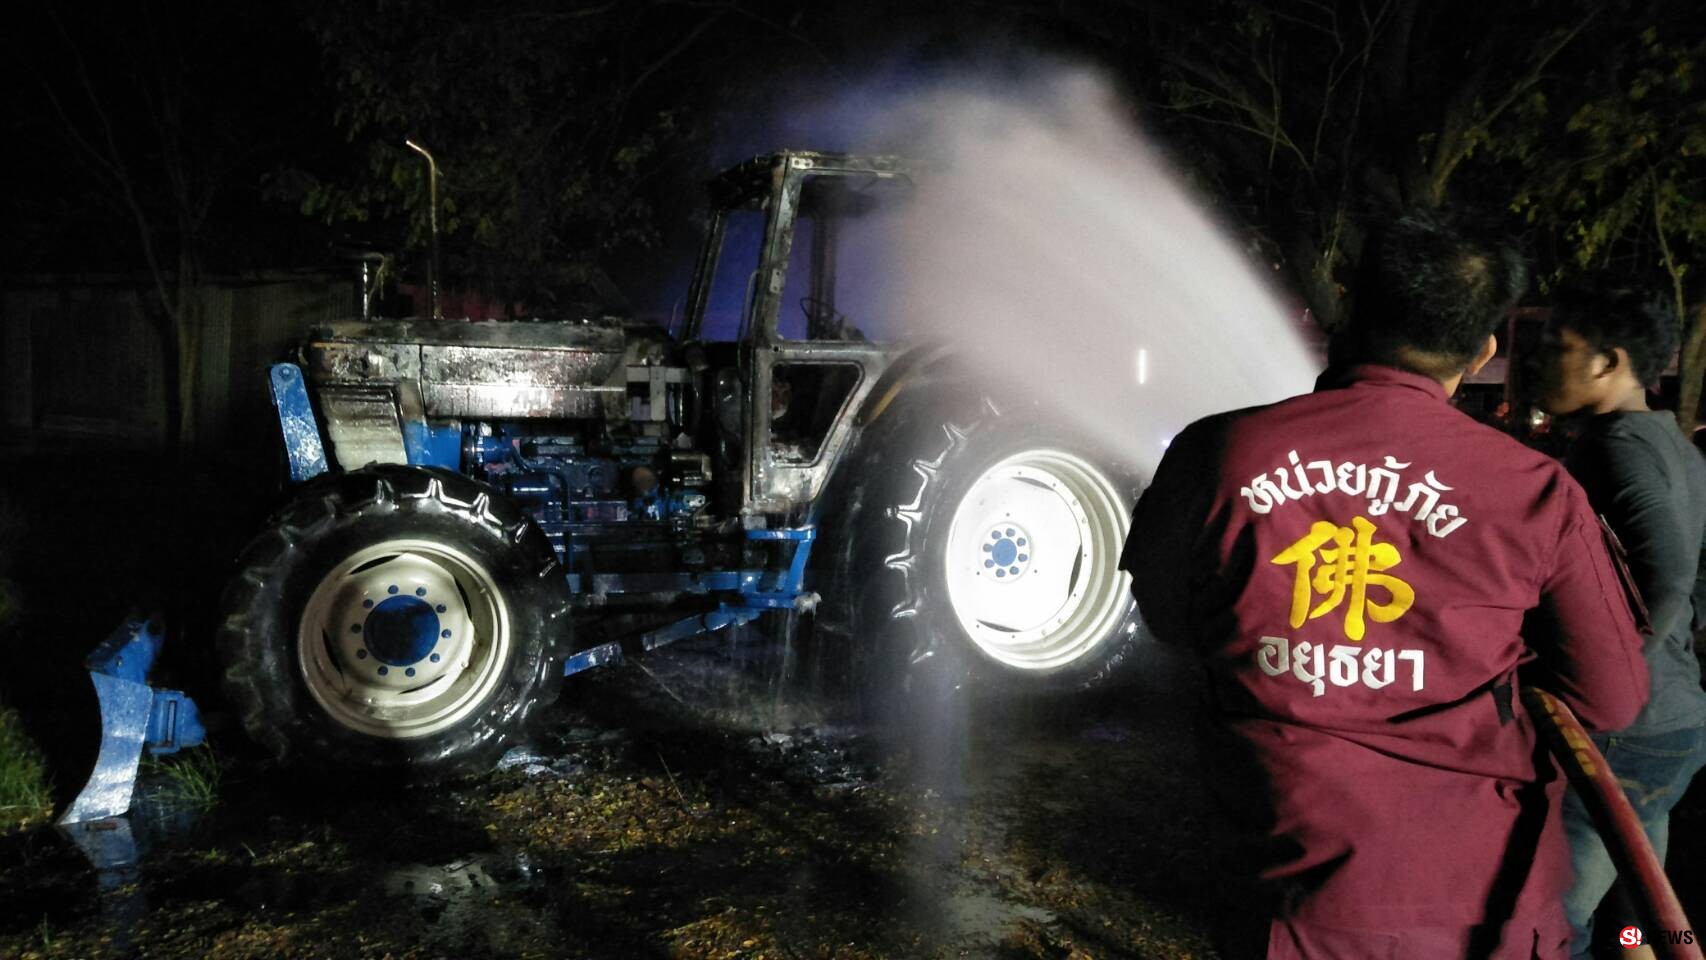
(1656, 903)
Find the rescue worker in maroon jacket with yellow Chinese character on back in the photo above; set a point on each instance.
(1354, 567)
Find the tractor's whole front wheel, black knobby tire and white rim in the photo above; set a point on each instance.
(397, 620)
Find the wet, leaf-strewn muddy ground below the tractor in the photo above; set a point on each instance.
(704, 806)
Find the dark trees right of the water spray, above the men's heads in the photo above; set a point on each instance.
(1311, 120)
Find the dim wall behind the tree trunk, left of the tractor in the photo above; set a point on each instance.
(83, 361)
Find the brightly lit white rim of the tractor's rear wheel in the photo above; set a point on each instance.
(1033, 560)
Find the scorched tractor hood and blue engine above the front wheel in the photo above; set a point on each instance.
(584, 424)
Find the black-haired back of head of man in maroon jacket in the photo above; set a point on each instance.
(1429, 294)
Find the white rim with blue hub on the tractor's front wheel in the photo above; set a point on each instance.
(403, 640)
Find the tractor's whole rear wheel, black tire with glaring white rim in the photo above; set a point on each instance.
(990, 550)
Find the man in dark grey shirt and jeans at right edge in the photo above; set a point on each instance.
(1640, 471)
